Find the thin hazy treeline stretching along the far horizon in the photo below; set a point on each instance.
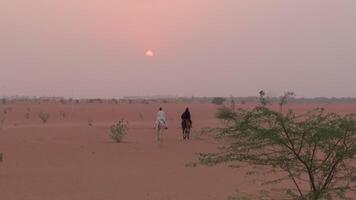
(148, 100)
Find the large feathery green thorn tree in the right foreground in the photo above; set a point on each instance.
(316, 150)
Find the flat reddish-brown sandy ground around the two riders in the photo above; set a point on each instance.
(66, 159)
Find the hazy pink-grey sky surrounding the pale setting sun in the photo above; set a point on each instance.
(96, 48)
